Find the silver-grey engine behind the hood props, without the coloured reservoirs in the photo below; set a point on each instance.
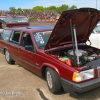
(84, 56)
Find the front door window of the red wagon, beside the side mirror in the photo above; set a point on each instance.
(26, 39)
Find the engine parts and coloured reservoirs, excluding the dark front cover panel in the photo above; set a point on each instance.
(86, 57)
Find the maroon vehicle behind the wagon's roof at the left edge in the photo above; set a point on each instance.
(13, 21)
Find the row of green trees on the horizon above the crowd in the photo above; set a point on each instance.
(59, 9)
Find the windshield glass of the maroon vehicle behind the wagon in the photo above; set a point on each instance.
(15, 20)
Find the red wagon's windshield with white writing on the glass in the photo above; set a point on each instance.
(41, 38)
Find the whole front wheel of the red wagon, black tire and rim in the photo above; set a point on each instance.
(53, 81)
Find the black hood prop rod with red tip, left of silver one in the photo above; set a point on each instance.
(73, 42)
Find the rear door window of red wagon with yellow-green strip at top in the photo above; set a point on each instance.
(15, 37)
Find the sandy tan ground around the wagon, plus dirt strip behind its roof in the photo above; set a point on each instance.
(17, 83)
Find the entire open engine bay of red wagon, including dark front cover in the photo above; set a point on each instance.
(88, 57)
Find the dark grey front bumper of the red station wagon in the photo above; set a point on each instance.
(69, 86)
